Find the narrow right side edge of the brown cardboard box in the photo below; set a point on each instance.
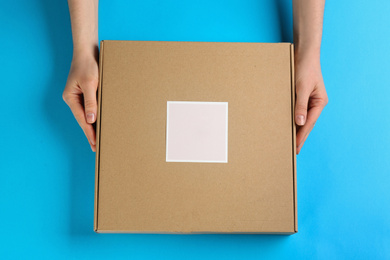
(294, 138)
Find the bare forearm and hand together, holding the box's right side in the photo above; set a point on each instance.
(311, 97)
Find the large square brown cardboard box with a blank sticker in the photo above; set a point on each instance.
(230, 166)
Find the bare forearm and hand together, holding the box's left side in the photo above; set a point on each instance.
(81, 87)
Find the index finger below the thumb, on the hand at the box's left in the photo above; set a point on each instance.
(78, 112)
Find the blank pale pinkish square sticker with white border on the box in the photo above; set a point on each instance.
(197, 131)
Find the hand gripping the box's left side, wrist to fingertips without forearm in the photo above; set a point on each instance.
(80, 93)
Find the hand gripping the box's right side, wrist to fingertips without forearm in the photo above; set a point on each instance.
(311, 97)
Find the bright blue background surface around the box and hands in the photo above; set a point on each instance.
(47, 167)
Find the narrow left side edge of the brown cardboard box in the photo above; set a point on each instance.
(98, 119)
